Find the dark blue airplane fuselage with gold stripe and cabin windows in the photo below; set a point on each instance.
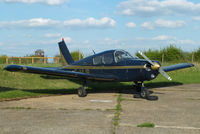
(126, 68)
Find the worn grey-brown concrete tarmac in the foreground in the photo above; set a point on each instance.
(177, 111)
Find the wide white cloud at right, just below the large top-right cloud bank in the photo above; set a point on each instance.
(160, 23)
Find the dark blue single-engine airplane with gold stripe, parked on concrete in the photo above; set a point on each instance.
(111, 65)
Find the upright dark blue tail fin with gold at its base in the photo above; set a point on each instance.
(65, 54)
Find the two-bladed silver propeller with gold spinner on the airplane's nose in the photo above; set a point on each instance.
(155, 66)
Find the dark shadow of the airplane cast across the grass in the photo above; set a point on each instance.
(95, 87)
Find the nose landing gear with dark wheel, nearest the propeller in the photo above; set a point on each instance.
(143, 92)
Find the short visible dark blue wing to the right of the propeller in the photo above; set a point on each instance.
(177, 66)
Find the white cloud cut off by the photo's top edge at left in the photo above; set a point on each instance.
(48, 2)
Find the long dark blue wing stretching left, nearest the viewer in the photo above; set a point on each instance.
(59, 72)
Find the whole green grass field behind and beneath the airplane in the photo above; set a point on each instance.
(22, 85)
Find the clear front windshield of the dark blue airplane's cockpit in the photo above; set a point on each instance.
(122, 55)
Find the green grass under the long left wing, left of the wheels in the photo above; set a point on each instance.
(19, 85)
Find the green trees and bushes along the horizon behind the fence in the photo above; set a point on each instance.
(170, 53)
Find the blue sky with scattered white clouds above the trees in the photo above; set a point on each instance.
(87, 25)
